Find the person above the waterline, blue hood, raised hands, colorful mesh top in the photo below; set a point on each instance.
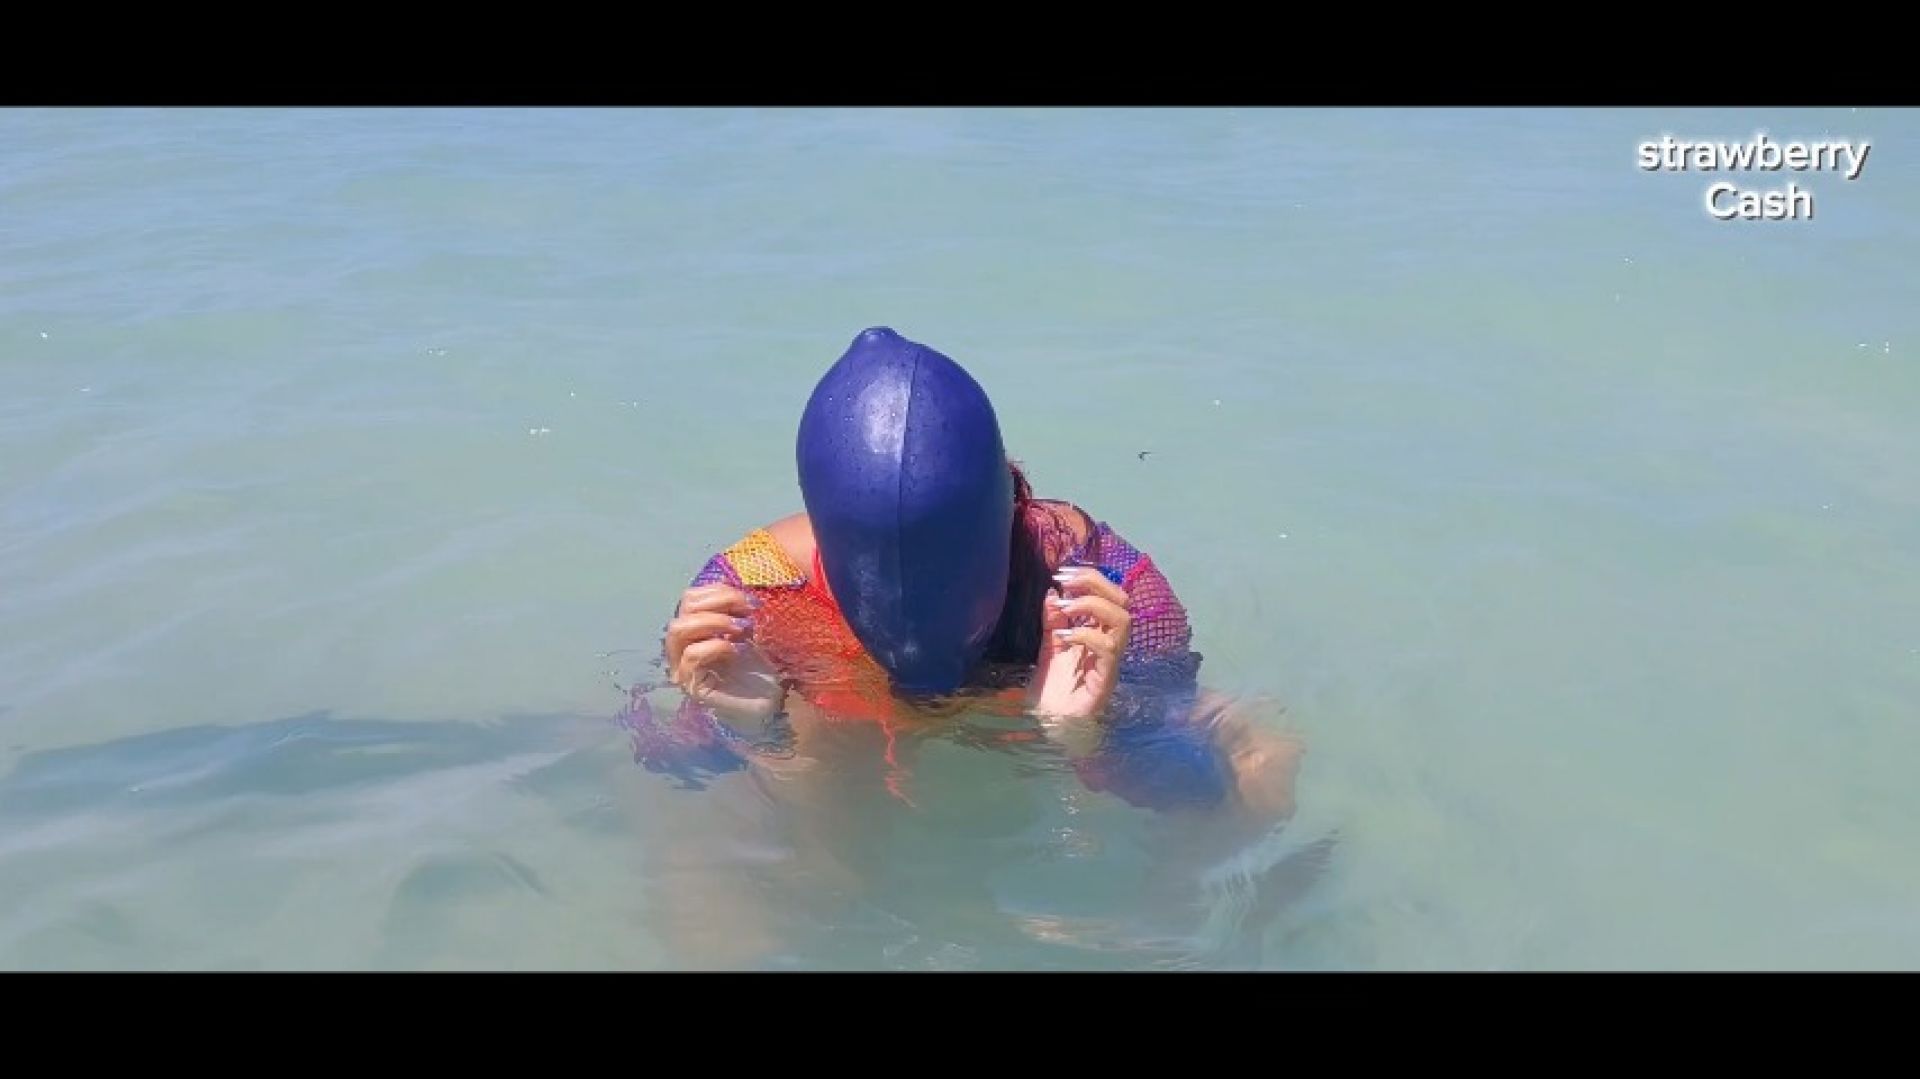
(926, 579)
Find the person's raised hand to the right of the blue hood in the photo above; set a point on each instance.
(1086, 636)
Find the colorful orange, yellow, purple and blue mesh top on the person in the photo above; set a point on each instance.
(1149, 757)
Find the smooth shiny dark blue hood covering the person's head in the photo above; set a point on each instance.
(913, 506)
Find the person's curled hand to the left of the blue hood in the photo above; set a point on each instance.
(713, 659)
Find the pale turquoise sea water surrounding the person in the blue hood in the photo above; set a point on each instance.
(343, 454)
